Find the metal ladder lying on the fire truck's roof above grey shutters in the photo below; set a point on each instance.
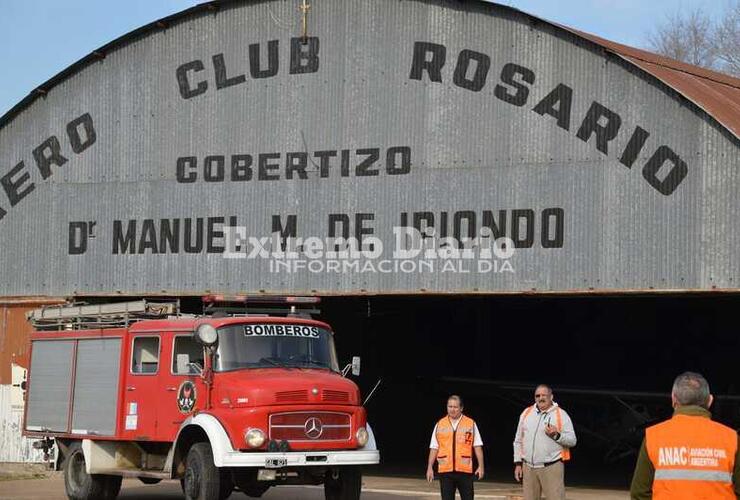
(77, 316)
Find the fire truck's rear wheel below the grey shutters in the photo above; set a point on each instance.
(83, 486)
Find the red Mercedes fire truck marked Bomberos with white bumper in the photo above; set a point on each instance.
(220, 402)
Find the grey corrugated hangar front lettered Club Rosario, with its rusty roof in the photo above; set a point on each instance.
(608, 168)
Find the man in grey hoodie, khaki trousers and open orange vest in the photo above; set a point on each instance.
(543, 439)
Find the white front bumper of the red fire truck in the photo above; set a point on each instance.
(300, 459)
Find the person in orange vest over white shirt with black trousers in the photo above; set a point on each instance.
(454, 440)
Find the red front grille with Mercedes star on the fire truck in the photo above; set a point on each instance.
(311, 426)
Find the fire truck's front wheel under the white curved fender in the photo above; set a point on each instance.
(202, 480)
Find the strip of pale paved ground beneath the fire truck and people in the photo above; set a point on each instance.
(375, 488)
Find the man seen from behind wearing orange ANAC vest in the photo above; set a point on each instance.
(688, 456)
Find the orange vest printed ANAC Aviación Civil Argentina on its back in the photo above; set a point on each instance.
(693, 457)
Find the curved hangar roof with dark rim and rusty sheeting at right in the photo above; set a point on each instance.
(716, 93)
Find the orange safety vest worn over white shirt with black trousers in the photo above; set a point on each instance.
(455, 446)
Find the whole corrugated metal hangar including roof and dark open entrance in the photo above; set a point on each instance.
(515, 201)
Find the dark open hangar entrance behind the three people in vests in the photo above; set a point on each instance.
(610, 359)
